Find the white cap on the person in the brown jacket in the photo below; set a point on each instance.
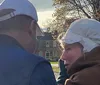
(84, 31)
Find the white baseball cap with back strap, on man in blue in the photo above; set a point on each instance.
(11, 8)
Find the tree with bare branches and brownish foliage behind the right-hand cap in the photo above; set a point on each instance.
(74, 8)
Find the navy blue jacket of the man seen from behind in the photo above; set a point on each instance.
(18, 67)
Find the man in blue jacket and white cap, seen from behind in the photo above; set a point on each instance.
(18, 31)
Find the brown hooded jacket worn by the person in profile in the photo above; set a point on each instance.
(86, 70)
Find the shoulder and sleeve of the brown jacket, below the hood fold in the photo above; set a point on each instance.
(88, 76)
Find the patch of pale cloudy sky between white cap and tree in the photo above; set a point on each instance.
(44, 10)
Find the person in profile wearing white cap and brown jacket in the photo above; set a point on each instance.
(81, 52)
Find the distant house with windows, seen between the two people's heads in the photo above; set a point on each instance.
(48, 47)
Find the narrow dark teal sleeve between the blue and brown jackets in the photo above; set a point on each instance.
(63, 73)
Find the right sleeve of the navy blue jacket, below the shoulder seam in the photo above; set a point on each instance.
(43, 75)
